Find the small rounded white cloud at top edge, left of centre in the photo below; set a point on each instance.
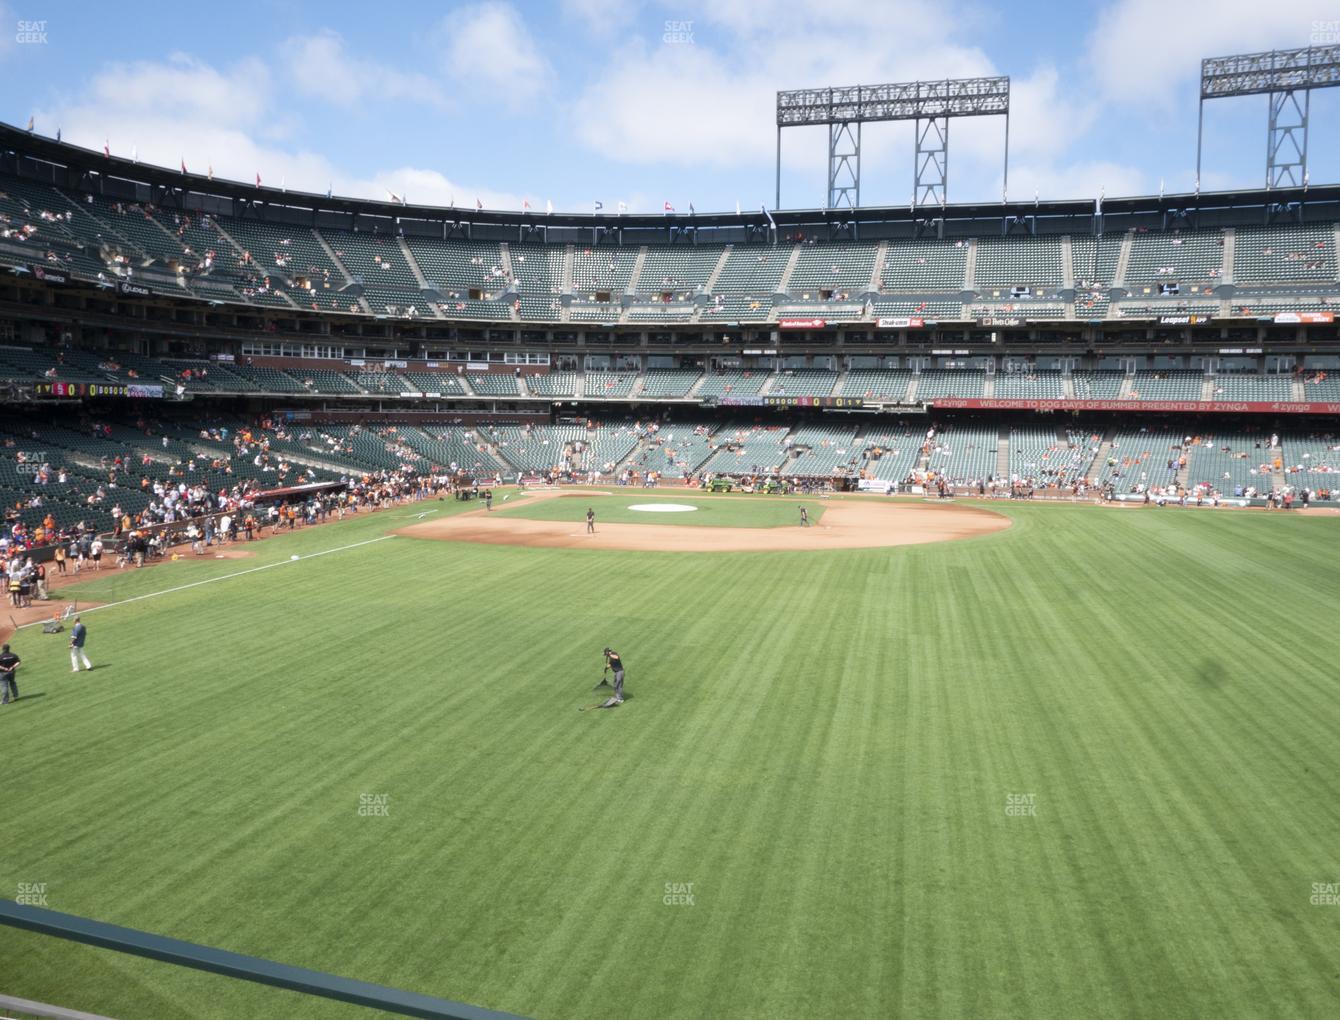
(490, 52)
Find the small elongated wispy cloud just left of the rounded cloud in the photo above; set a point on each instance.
(324, 68)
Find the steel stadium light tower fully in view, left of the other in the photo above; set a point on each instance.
(929, 104)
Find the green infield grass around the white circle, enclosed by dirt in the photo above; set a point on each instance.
(716, 511)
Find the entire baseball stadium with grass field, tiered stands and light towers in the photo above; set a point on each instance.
(866, 611)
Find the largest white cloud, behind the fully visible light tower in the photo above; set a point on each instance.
(700, 107)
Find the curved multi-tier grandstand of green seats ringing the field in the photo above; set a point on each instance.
(795, 342)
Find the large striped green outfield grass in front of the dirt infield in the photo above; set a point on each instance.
(825, 746)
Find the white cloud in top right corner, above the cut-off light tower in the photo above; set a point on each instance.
(1142, 50)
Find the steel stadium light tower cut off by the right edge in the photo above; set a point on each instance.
(1288, 78)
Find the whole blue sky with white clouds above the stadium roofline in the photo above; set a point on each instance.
(578, 101)
